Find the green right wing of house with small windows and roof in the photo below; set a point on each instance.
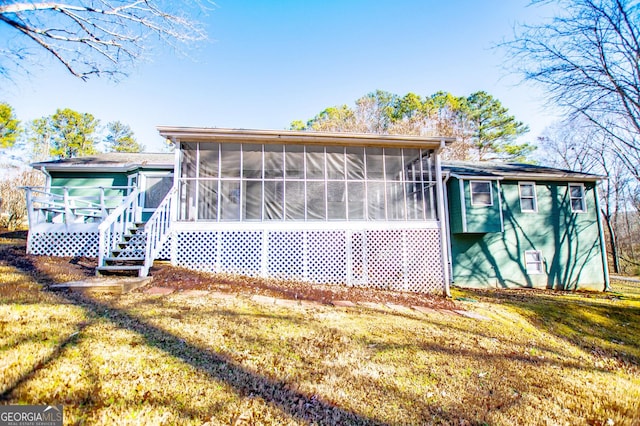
(520, 225)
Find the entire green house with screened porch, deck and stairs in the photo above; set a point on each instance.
(367, 210)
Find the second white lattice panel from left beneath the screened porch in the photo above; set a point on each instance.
(241, 253)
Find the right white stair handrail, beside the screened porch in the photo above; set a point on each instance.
(157, 229)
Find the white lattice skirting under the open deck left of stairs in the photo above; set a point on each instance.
(64, 244)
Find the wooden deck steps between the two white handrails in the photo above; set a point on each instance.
(127, 258)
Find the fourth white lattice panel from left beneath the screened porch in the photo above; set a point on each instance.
(327, 257)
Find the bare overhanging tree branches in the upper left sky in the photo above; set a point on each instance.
(97, 37)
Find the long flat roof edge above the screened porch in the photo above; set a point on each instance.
(207, 134)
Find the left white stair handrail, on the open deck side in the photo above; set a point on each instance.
(117, 222)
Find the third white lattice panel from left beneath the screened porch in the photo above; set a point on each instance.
(286, 257)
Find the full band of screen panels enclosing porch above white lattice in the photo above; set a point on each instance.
(252, 182)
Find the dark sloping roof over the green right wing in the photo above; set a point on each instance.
(498, 171)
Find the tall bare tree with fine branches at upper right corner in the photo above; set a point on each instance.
(587, 60)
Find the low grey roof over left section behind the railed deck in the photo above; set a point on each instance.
(111, 161)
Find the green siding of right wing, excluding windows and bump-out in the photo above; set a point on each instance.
(569, 243)
